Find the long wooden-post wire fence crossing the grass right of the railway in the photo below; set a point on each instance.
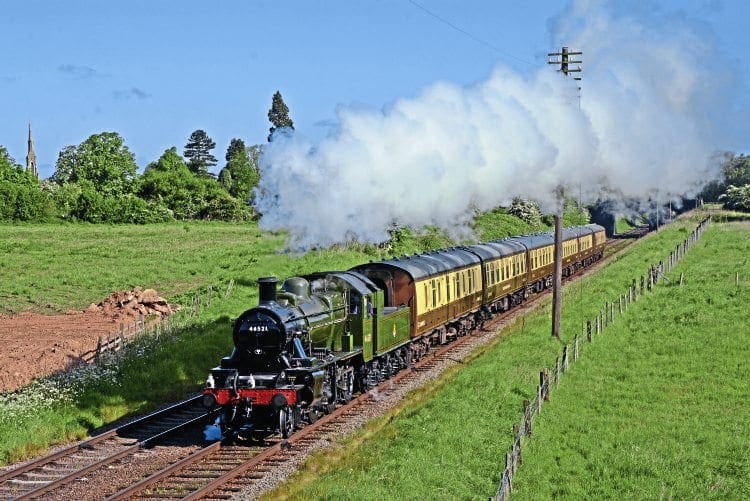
(591, 328)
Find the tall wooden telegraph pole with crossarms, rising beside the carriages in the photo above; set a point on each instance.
(565, 61)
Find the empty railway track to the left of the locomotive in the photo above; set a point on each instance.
(37, 478)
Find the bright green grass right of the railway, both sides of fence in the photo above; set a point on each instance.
(656, 408)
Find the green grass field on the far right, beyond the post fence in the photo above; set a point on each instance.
(659, 407)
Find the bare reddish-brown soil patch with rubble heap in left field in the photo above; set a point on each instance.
(36, 345)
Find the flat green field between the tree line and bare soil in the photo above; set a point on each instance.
(51, 268)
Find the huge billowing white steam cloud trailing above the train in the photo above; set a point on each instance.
(654, 93)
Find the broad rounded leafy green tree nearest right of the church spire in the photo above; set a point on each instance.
(102, 159)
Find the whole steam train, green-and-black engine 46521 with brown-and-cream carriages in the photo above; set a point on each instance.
(318, 340)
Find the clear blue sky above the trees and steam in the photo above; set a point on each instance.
(154, 71)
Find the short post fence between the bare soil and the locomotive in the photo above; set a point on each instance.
(129, 332)
